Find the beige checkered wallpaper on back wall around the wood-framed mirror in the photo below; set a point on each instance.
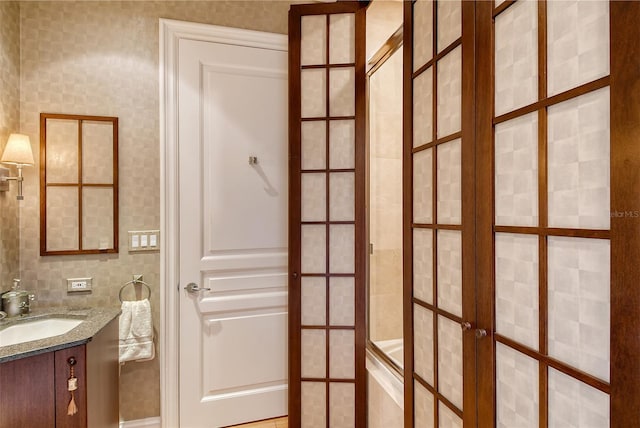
(101, 58)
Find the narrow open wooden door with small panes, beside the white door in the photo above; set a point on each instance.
(327, 233)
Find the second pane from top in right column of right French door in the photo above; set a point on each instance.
(579, 162)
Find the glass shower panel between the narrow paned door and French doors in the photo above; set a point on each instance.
(385, 207)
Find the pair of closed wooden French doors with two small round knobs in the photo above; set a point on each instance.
(542, 254)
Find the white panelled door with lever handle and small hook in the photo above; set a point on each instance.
(233, 232)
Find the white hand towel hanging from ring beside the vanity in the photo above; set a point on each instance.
(136, 331)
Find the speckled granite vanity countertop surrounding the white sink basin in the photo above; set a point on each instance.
(95, 319)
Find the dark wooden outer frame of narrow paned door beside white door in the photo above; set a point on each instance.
(295, 175)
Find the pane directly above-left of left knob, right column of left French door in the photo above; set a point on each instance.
(449, 246)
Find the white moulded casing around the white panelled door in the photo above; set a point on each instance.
(171, 32)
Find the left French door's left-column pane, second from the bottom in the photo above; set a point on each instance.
(423, 343)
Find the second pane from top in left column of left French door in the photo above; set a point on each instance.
(423, 108)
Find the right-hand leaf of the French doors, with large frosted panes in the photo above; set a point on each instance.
(557, 224)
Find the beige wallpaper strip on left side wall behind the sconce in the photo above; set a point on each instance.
(9, 122)
